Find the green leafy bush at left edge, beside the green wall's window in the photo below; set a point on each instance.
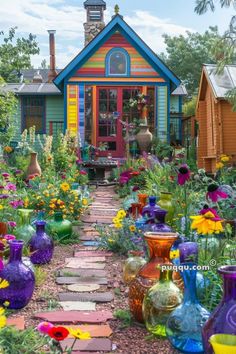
(8, 106)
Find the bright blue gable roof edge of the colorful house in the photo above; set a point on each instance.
(117, 24)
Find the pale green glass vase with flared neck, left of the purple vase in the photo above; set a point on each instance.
(24, 230)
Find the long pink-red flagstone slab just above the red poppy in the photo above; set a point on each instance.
(75, 316)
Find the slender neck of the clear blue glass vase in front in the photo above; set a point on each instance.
(189, 277)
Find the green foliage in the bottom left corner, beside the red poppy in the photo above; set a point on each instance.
(28, 341)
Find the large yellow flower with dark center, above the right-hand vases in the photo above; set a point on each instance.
(205, 224)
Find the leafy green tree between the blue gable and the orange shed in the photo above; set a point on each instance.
(186, 54)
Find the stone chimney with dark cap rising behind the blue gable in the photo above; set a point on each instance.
(95, 19)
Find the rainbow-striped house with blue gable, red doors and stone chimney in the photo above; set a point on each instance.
(91, 95)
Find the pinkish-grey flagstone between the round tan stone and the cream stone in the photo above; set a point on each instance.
(94, 297)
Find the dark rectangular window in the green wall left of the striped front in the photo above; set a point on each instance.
(33, 113)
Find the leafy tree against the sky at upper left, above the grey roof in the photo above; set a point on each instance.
(15, 54)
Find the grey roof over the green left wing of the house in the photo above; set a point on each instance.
(31, 89)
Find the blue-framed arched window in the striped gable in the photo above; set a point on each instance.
(118, 63)
